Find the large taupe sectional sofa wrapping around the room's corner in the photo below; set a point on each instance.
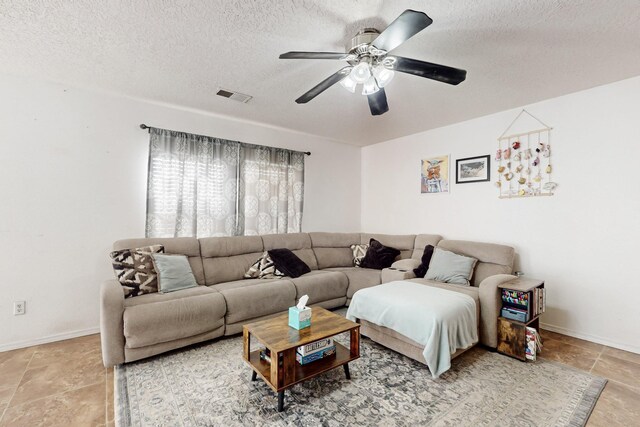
(146, 325)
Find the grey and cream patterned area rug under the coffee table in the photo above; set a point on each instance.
(209, 385)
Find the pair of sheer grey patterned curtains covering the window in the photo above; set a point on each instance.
(201, 186)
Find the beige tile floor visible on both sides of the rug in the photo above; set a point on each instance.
(65, 384)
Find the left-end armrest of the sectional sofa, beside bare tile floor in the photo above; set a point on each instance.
(111, 323)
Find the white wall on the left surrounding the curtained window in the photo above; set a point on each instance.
(73, 167)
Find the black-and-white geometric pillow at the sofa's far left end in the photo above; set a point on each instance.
(135, 271)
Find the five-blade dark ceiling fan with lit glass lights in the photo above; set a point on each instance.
(371, 65)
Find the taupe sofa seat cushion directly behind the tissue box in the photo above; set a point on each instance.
(321, 285)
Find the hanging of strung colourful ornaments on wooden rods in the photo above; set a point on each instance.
(524, 162)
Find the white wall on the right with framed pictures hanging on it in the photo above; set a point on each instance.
(583, 241)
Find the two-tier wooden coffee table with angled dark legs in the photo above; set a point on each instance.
(282, 340)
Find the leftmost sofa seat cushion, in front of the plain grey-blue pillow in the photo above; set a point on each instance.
(155, 318)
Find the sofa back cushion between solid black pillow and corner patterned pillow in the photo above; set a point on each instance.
(333, 249)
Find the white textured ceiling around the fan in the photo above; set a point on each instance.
(515, 51)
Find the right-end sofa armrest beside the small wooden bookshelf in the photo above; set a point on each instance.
(490, 305)
